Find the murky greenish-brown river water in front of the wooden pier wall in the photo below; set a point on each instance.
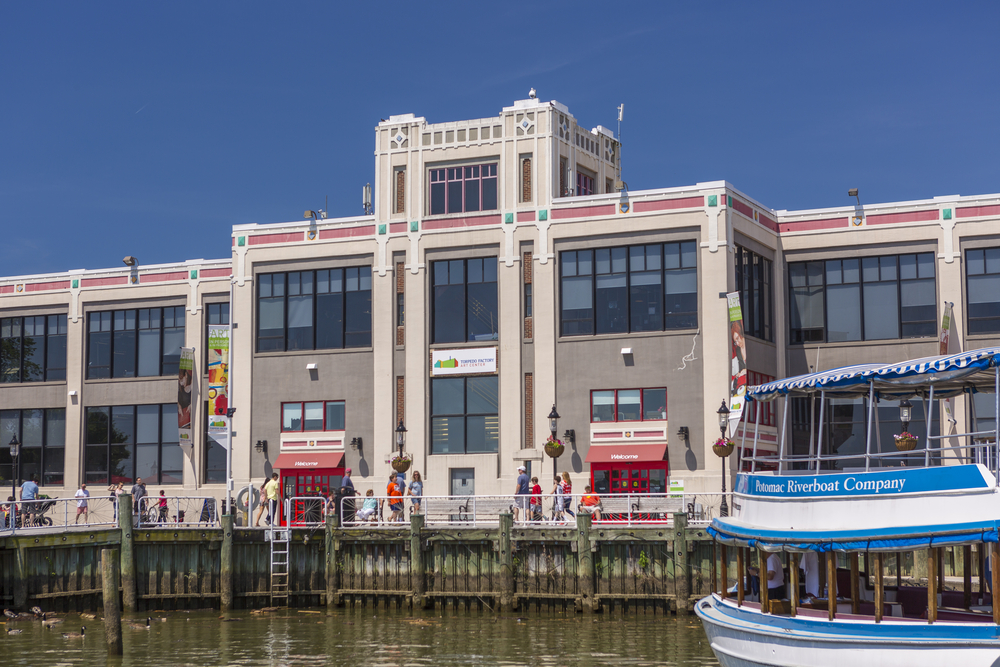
(367, 637)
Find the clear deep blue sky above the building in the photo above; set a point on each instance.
(150, 128)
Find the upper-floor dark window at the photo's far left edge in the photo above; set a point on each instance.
(33, 349)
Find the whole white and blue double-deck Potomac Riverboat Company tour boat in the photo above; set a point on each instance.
(863, 507)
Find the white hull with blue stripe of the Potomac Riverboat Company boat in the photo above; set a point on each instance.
(743, 637)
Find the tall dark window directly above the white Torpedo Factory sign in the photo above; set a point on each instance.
(465, 300)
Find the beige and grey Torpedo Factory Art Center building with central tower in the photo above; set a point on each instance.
(502, 273)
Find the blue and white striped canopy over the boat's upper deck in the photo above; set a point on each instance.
(951, 374)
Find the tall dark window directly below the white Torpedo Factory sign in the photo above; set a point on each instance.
(464, 415)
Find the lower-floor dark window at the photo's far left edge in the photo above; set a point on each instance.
(42, 434)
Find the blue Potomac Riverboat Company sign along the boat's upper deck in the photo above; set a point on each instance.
(882, 483)
